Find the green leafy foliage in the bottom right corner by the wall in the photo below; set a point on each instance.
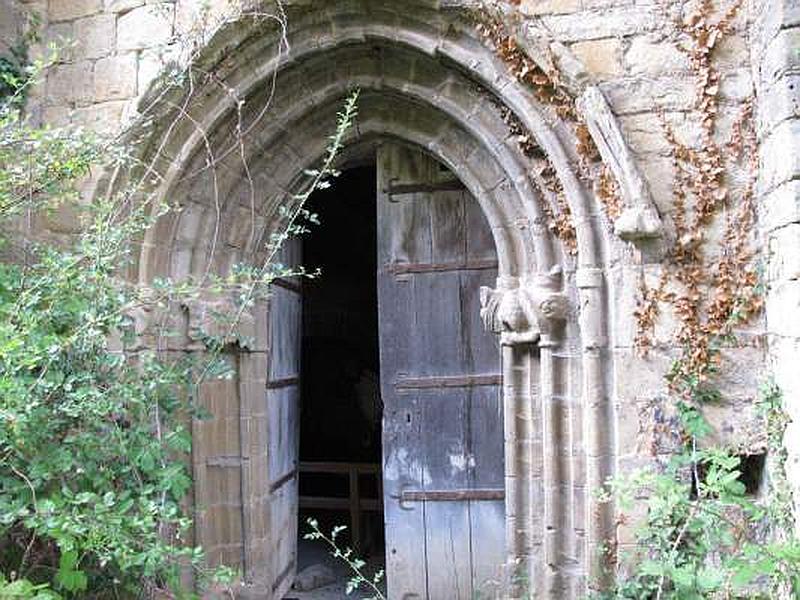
(702, 536)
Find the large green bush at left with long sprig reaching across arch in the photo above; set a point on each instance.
(93, 440)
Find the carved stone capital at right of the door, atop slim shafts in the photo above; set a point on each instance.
(524, 312)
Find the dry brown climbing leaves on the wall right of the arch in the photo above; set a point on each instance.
(715, 293)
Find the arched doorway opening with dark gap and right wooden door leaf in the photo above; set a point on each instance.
(392, 328)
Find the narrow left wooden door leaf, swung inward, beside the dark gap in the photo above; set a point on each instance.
(283, 423)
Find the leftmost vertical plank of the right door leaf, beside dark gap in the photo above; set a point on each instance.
(402, 463)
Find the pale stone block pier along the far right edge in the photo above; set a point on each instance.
(776, 64)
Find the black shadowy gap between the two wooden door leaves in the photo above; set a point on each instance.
(340, 481)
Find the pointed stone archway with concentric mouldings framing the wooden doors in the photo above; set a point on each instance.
(426, 80)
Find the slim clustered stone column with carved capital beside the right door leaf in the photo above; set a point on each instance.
(527, 314)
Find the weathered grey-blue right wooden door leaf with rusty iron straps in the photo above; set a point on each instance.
(440, 382)
